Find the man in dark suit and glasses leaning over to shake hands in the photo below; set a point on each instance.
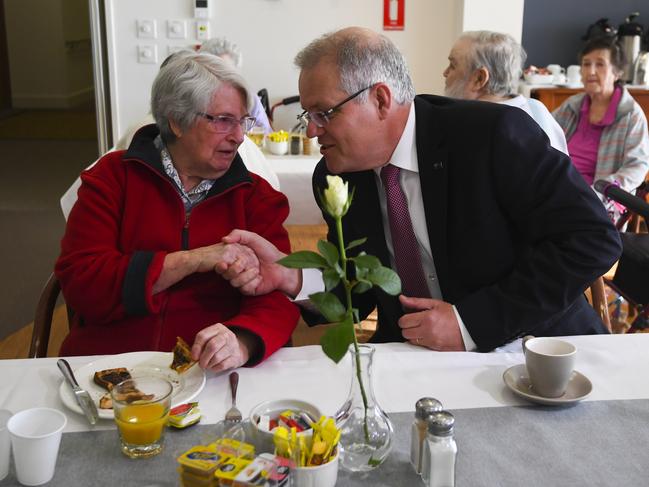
(506, 234)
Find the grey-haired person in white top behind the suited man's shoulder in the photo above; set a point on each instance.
(487, 66)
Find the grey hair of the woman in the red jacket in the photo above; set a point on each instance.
(186, 85)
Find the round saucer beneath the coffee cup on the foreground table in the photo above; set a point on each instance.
(517, 380)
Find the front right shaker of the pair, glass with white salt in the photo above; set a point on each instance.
(440, 450)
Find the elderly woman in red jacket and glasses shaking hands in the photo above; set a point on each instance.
(143, 242)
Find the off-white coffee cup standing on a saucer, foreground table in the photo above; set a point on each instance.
(550, 363)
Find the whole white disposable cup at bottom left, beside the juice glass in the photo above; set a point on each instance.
(35, 438)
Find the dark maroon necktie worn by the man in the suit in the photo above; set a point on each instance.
(404, 243)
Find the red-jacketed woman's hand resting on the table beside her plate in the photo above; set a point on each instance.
(218, 348)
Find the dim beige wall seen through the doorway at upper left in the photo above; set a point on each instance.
(49, 52)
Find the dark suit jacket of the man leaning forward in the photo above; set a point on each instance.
(515, 232)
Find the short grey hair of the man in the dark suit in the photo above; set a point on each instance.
(363, 58)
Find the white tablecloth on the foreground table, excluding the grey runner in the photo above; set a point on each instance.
(402, 374)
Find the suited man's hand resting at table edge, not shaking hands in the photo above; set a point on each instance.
(431, 324)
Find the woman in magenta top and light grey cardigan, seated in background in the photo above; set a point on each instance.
(605, 127)
